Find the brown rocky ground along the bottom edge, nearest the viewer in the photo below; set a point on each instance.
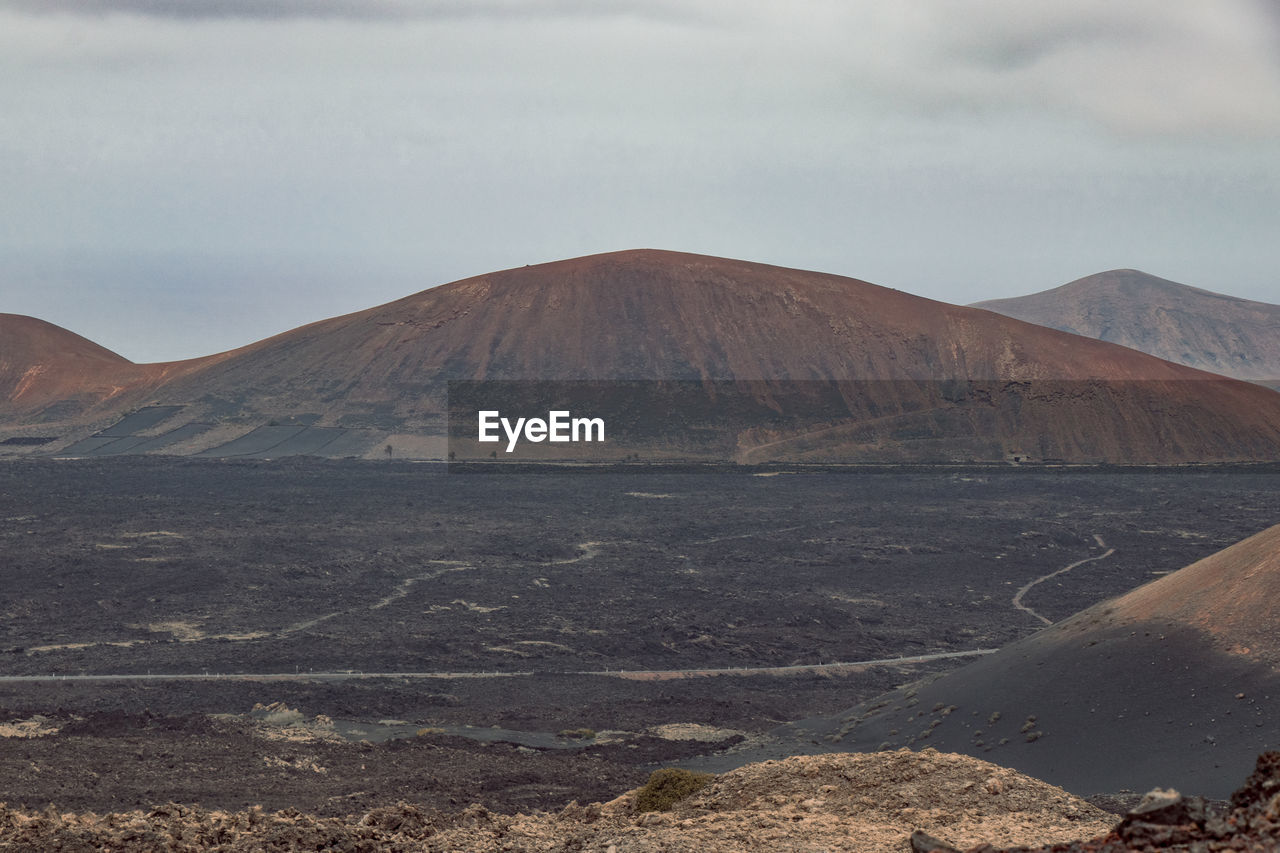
(867, 804)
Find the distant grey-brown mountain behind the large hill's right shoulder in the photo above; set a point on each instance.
(1186, 325)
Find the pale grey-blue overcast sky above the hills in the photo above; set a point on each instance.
(182, 177)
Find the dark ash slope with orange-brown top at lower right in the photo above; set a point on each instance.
(1176, 683)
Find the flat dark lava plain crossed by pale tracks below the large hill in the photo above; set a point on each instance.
(441, 582)
